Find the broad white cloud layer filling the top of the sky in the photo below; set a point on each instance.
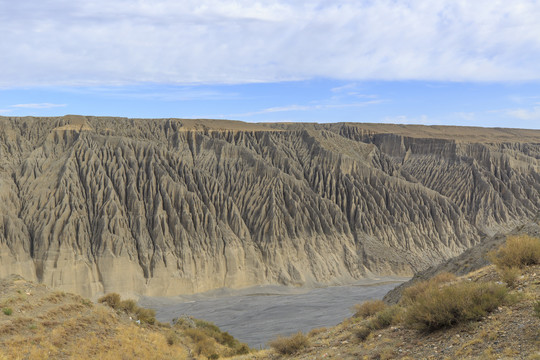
(104, 42)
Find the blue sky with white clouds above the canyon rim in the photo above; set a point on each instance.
(444, 62)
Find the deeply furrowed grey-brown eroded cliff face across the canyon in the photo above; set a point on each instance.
(163, 207)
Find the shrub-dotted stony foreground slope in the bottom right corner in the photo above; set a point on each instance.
(491, 312)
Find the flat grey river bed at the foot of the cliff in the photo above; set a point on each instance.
(258, 314)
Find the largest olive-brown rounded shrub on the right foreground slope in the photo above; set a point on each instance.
(442, 307)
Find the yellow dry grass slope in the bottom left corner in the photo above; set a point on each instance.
(56, 325)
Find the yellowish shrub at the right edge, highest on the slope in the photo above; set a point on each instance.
(519, 251)
